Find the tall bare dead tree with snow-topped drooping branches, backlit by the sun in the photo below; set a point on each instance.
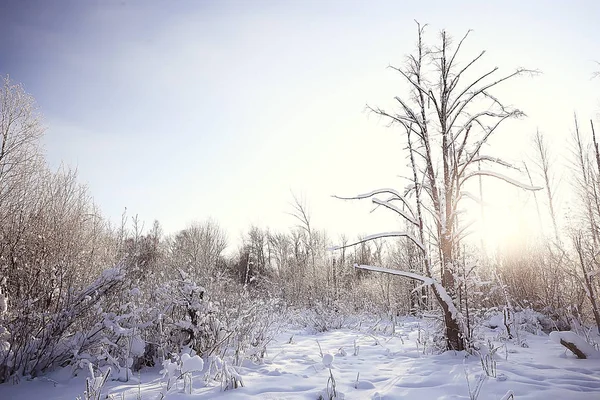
(447, 118)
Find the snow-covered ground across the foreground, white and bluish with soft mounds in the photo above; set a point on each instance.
(366, 365)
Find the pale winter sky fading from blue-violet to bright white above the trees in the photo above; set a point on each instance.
(188, 110)
